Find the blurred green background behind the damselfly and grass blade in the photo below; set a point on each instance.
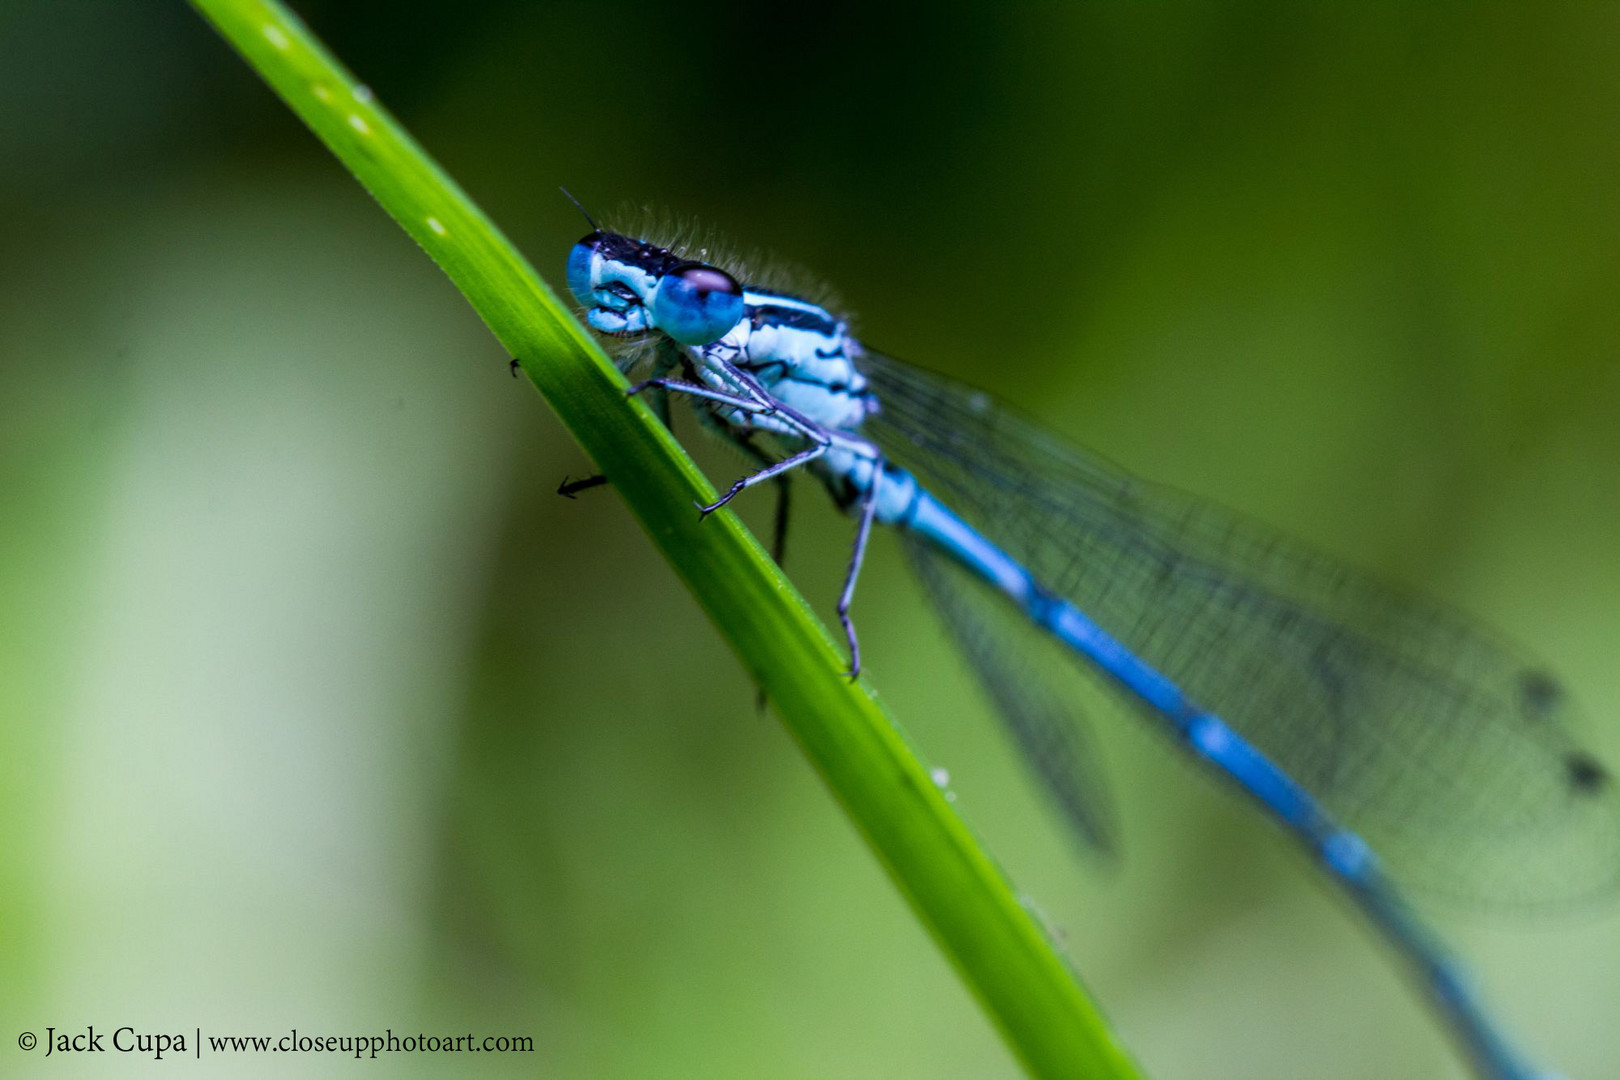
(323, 712)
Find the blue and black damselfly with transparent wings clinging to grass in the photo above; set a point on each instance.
(1332, 700)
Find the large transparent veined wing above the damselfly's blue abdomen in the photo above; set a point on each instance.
(1444, 746)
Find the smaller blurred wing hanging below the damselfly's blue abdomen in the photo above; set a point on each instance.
(1025, 676)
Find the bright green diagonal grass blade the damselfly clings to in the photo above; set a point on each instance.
(952, 883)
